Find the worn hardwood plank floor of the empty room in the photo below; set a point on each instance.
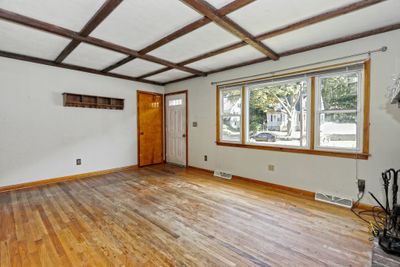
(167, 216)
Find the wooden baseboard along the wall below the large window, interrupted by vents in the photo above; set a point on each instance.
(286, 189)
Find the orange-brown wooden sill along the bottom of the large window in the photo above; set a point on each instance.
(362, 156)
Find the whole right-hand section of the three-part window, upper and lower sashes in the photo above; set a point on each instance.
(339, 111)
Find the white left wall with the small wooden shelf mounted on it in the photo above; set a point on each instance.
(40, 139)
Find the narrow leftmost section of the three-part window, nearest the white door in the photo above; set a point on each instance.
(231, 114)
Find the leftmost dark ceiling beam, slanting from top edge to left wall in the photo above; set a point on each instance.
(95, 21)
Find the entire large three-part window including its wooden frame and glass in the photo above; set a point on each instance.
(320, 112)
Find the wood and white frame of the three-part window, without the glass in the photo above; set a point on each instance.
(363, 107)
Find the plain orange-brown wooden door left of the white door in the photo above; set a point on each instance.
(150, 128)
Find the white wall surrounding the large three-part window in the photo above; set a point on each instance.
(308, 172)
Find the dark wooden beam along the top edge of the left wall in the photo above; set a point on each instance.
(72, 67)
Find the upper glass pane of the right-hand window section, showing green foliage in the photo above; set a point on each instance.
(339, 92)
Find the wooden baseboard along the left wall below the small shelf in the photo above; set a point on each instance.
(64, 178)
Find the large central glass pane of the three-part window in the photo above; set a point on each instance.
(278, 113)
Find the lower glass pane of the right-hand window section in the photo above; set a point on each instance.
(338, 130)
